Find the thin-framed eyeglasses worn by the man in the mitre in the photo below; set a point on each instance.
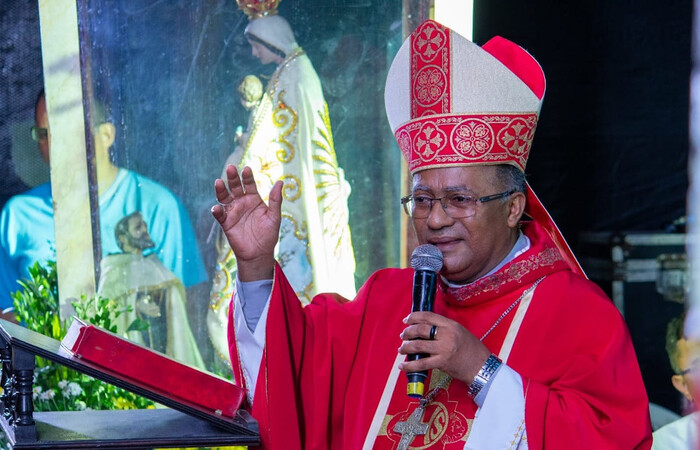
(457, 206)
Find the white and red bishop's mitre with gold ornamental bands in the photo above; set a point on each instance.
(452, 103)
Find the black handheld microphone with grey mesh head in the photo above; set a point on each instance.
(426, 260)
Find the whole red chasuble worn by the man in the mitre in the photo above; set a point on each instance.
(328, 376)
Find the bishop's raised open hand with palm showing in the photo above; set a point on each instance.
(251, 227)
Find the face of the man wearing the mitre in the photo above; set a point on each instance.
(471, 246)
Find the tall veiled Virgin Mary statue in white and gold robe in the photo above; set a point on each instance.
(289, 138)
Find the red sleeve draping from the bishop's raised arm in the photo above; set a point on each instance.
(300, 378)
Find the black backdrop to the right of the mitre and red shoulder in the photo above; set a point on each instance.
(611, 149)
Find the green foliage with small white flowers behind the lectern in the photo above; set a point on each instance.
(56, 387)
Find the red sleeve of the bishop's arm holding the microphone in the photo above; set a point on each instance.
(588, 392)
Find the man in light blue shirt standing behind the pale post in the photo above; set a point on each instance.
(27, 227)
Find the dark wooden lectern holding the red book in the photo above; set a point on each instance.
(179, 425)
